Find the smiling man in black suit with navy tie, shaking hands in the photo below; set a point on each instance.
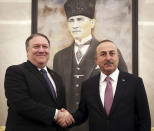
(34, 92)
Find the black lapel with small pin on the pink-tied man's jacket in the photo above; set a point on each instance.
(122, 80)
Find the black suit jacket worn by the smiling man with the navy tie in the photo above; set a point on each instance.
(31, 106)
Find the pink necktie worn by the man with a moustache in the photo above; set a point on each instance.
(108, 97)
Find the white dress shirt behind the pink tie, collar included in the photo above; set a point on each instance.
(102, 83)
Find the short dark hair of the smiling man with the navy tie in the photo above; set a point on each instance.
(34, 35)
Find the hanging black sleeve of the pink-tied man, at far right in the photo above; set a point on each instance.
(142, 108)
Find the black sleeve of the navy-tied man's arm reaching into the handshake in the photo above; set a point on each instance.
(20, 101)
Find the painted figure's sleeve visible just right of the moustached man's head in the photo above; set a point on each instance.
(122, 64)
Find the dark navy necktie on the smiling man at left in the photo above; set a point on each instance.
(44, 73)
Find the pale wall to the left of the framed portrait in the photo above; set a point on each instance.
(15, 27)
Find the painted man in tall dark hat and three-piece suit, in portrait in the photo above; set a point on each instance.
(76, 62)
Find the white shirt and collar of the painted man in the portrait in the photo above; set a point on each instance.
(84, 48)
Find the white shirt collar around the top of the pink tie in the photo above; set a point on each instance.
(114, 76)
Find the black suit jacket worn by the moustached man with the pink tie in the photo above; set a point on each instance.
(129, 111)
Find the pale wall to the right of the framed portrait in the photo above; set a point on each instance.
(146, 48)
